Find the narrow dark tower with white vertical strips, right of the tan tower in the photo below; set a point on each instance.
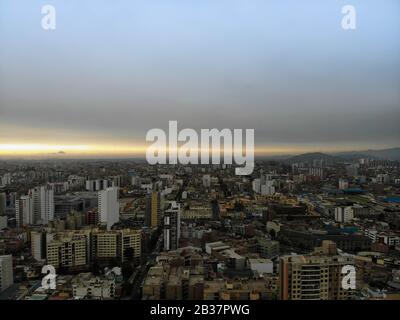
(172, 222)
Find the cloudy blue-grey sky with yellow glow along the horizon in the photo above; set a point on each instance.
(112, 70)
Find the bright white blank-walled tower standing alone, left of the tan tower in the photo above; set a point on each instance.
(109, 206)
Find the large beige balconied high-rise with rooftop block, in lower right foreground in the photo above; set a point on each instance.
(315, 277)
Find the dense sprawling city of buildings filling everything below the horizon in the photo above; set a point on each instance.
(123, 229)
